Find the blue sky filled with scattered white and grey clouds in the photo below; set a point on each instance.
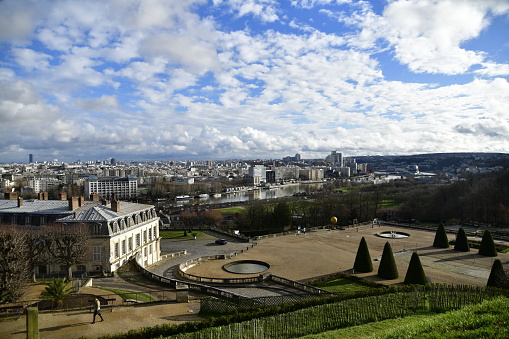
(251, 79)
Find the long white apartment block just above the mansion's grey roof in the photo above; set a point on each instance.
(105, 187)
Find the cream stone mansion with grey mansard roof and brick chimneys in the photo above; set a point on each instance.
(118, 230)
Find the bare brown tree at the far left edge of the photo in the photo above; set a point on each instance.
(13, 263)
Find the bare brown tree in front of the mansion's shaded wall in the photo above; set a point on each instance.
(68, 244)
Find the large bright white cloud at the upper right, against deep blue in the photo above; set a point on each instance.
(427, 35)
